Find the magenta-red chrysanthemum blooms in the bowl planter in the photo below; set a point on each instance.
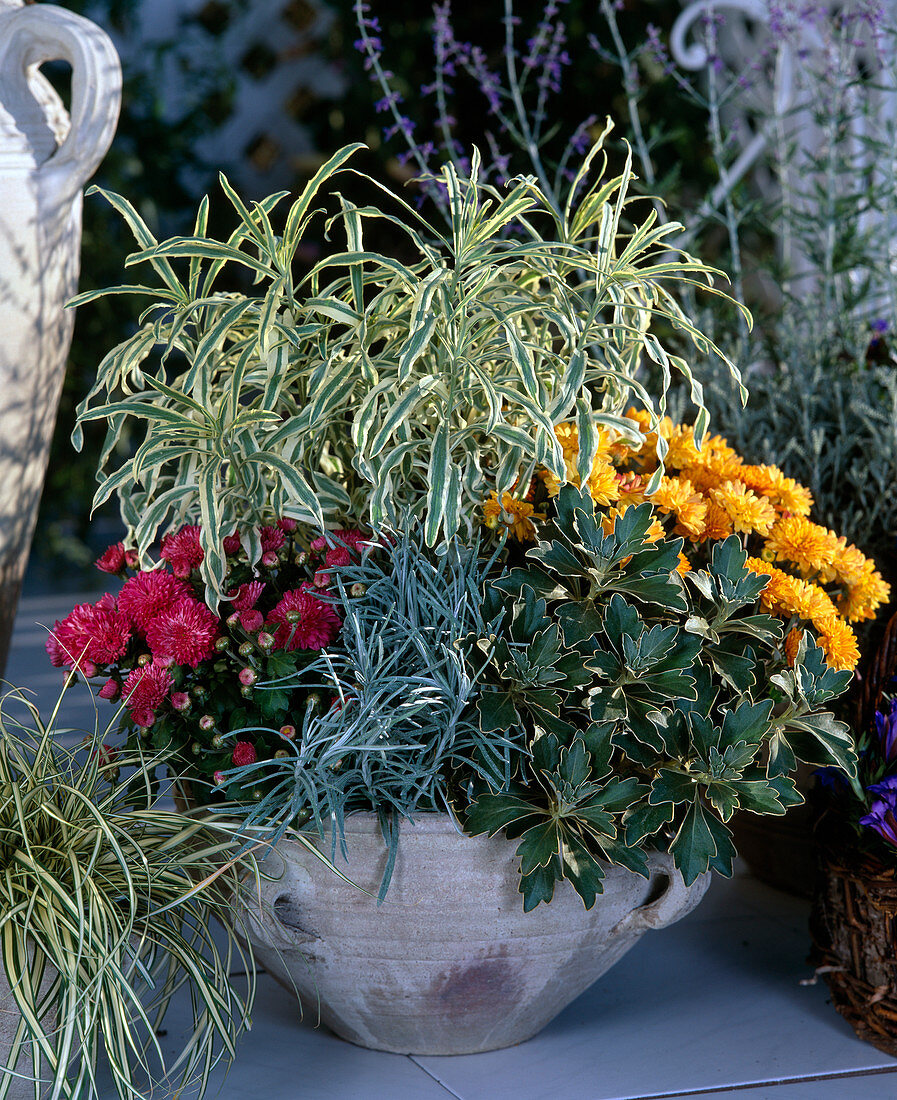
(159, 632)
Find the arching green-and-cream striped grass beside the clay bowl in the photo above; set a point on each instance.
(106, 907)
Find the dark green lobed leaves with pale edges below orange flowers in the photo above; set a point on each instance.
(652, 706)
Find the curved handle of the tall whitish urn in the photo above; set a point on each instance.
(42, 34)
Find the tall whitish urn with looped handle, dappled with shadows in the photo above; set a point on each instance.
(46, 159)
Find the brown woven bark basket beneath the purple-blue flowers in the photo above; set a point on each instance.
(855, 930)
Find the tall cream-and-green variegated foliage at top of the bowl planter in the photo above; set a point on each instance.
(374, 384)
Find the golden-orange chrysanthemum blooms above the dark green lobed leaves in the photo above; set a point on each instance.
(708, 492)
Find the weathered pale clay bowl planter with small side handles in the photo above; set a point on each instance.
(450, 964)
